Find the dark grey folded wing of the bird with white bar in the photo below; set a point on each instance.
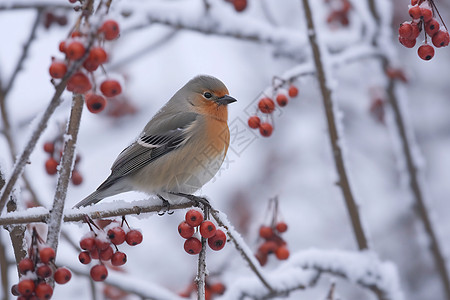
(150, 146)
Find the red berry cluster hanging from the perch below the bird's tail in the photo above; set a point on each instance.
(99, 245)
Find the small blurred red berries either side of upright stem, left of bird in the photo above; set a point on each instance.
(54, 149)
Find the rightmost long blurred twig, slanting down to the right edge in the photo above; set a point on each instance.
(414, 171)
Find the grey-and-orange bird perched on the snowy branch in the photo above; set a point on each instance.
(180, 149)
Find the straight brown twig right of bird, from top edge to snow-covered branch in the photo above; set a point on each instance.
(335, 138)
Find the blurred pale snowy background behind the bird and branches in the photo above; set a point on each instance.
(163, 44)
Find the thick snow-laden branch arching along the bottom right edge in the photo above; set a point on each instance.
(304, 267)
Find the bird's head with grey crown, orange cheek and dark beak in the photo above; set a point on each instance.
(208, 95)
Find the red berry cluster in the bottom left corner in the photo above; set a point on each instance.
(36, 270)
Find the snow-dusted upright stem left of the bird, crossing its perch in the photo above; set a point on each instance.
(65, 171)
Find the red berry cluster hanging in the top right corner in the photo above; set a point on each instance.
(422, 14)
